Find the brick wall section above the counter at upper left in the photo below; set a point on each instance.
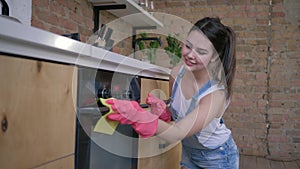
(63, 16)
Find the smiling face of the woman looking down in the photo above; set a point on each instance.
(197, 51)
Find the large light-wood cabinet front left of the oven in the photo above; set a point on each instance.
(37, 110)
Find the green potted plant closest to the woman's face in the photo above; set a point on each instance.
(173, 49)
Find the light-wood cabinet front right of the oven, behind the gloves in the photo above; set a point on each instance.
(155, 152)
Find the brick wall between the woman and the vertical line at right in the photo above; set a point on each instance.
(249, 19)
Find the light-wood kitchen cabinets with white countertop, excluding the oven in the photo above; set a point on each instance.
(38, 97)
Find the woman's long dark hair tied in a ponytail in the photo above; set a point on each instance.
(223, 40)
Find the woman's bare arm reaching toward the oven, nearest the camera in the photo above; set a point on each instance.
(210, 107)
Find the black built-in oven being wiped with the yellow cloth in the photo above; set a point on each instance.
(96, 150)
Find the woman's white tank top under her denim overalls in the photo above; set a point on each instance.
(215, 133)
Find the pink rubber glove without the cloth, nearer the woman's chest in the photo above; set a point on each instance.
(158, 107)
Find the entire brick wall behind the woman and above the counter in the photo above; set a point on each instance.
(264, 114)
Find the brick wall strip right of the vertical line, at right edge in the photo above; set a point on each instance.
(284, 84)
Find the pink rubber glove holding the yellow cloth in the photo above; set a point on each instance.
(129, 112)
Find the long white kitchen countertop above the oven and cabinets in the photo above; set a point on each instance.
(25, 41)
